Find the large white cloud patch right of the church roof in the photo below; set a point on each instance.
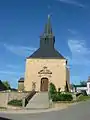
(80, 52)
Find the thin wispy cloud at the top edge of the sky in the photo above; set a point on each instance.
(73, 2)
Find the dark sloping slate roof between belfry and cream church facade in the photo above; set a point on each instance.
(46, 53)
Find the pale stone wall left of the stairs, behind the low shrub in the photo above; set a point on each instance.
(5, 97)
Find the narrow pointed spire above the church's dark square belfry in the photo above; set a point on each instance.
(48, 27)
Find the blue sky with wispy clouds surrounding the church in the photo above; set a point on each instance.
(21, 24)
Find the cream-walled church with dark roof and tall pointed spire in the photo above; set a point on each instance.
(46, 65)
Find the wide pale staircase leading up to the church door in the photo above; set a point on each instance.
(39, 101)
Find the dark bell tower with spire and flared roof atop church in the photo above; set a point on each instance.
(47, 42)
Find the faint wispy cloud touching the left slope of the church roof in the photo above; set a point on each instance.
(20, 50)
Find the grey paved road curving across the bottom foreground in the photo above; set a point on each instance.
(80, 111)
